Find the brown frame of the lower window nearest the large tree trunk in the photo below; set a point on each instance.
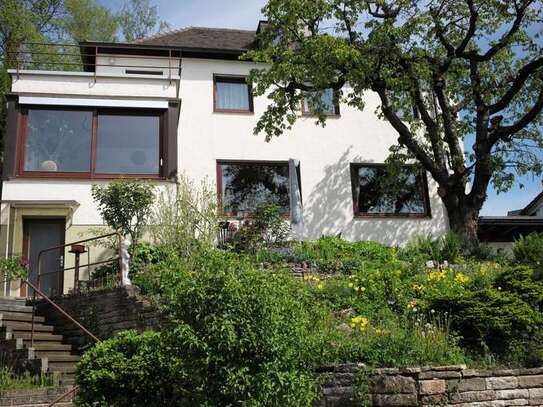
(425, 195)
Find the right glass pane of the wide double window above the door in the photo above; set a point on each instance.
(127, 144)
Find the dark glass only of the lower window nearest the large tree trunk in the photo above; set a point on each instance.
(375, 196)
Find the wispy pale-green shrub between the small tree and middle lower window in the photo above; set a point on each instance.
(185, 218)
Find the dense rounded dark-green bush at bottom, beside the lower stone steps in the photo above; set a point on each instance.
(130, 370)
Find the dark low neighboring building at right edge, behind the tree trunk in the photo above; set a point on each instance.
(501, 231)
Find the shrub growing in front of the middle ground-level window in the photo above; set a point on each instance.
(266, 228)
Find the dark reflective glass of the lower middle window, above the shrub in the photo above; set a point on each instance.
(244, 186)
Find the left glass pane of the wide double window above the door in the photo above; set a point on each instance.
(58, 141)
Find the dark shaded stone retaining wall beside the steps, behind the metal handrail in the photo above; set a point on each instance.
(103, 313)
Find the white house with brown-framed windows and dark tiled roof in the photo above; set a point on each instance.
(178, 103)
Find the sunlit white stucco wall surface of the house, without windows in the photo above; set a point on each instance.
(204, 137)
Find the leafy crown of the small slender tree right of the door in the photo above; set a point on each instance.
(125, 206)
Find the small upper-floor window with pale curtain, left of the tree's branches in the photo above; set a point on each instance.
(232, 94)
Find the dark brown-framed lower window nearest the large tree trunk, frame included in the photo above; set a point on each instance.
(372, 197)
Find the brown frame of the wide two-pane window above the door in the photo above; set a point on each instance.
(91, 174)
